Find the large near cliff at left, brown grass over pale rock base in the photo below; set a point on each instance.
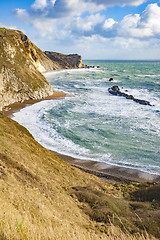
(21, 64)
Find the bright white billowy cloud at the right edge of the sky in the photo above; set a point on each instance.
(144, 25)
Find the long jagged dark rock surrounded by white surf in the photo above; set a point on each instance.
(115, 90)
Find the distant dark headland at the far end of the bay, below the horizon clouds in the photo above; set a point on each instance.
(66, 61)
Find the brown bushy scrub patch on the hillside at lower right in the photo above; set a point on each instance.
(133, 216)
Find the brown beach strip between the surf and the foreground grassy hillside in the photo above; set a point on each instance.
(110, 172)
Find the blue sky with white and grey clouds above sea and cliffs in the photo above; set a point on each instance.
(95, 29)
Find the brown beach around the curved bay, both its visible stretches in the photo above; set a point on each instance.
(102, 170)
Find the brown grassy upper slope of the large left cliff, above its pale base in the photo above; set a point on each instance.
(15, 56)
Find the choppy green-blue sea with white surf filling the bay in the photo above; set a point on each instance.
(91, 124)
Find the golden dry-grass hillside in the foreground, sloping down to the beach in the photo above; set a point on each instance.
(42, 197)
